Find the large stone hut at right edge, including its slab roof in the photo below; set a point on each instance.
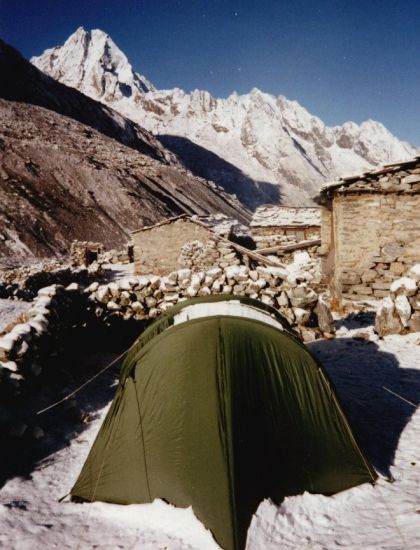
(370, 229)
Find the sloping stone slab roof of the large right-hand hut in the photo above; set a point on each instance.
(403, 177)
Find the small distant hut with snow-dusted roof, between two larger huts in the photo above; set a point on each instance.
(276, 225)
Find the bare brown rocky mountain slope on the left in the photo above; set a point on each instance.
(61, 180)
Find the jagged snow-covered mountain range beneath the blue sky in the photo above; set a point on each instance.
(261, 147)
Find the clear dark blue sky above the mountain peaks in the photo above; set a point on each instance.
(342, 60)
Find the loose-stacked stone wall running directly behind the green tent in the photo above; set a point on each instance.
(291, 290)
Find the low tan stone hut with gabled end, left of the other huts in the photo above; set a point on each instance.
(180, 242)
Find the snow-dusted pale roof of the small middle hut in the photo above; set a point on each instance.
(286, 216)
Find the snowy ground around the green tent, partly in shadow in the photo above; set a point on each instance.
(384, 516)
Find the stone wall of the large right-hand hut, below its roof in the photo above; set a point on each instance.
(375, 239)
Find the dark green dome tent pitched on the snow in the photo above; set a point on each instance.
(219, 406)
